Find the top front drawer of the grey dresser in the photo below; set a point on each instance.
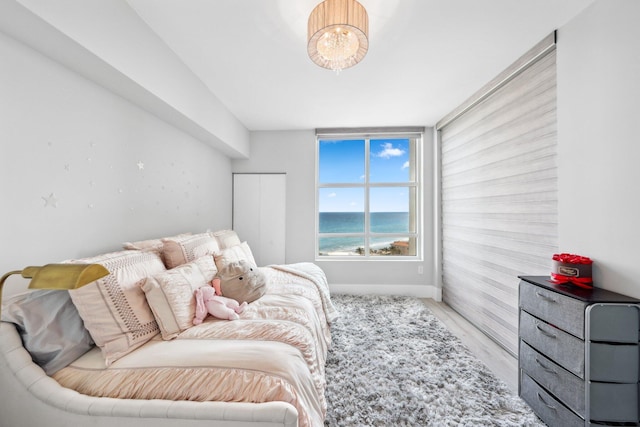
(564, 312)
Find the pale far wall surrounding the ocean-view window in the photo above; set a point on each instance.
(293, 152)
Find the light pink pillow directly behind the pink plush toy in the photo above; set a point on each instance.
(170, 294)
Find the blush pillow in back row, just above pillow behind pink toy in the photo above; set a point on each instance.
(181, 250)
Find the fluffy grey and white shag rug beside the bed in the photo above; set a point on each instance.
(393, 363)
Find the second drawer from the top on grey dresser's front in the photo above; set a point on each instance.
(566, 350)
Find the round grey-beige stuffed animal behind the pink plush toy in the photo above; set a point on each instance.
(242, 281)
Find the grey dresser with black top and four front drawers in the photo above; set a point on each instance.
(579, 354)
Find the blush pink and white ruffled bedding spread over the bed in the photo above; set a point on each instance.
(276, 351)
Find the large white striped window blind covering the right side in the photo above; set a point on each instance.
(499, 193)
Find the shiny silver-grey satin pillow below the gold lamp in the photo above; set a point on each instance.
(50, 327)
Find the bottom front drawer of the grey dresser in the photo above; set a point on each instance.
(552, 412)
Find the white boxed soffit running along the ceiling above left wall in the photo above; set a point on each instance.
(108, 43)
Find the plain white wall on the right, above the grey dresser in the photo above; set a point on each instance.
(599, 146)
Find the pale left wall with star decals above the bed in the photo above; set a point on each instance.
(61, 134)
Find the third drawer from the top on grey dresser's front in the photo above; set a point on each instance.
(567, 387)
